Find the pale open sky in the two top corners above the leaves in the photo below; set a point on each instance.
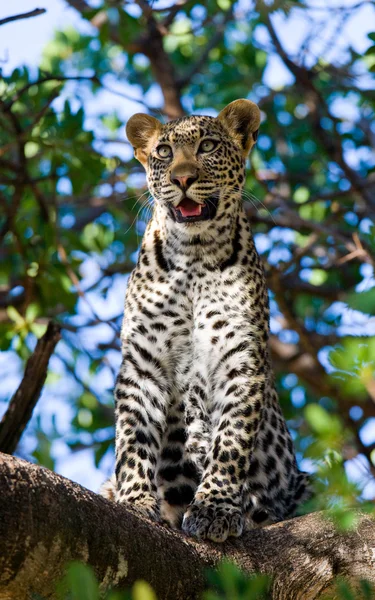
(35, 33)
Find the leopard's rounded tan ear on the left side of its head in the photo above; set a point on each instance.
(142, 131)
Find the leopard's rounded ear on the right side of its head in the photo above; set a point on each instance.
(241, 119)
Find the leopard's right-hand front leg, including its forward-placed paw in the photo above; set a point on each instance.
(217, 510)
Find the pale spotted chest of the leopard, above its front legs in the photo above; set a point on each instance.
(190, 316)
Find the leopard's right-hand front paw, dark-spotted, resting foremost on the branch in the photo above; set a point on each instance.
(213, 522)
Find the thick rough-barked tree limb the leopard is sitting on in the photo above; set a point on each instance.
(47, 520)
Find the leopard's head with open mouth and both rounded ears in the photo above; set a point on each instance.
(195, 165)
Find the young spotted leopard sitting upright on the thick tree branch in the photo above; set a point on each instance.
(201, 441)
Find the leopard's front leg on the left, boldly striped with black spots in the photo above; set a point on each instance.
(141, 399)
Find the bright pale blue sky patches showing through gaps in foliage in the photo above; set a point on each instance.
(22, 42)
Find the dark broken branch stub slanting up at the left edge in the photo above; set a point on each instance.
(24, 400)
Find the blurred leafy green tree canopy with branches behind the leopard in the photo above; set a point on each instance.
(71, 217)
